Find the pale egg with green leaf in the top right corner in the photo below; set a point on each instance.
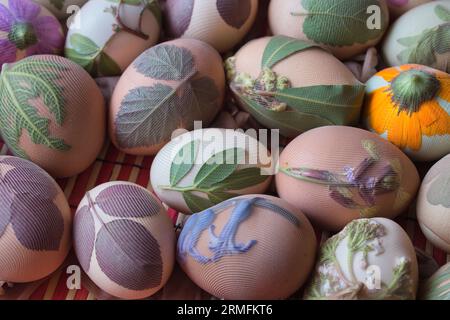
(420, 36)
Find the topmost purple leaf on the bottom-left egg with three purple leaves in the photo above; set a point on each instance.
(126, 201)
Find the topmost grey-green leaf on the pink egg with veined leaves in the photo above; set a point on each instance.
(166, 62)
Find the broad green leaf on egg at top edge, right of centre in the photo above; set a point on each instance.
(340, 22)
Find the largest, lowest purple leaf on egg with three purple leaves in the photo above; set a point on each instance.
(129, 255)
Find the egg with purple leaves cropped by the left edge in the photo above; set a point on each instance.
(35, 222)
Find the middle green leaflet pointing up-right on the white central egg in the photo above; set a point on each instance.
(219, 167)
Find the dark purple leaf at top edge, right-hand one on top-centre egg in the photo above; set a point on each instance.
(234, 12)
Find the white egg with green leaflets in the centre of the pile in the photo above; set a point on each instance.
(207, 143)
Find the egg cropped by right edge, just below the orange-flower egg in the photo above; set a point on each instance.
(433, 205)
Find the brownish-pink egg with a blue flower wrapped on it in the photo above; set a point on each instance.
(250, 247)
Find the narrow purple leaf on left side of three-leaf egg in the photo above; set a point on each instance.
(84, 236)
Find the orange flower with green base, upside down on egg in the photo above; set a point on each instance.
(407, 112)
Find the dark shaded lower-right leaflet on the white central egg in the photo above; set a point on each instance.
(242, 179)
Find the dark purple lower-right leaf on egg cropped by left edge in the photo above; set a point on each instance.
(37, 222)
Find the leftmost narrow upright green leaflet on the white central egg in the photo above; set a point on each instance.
(183, 162)
